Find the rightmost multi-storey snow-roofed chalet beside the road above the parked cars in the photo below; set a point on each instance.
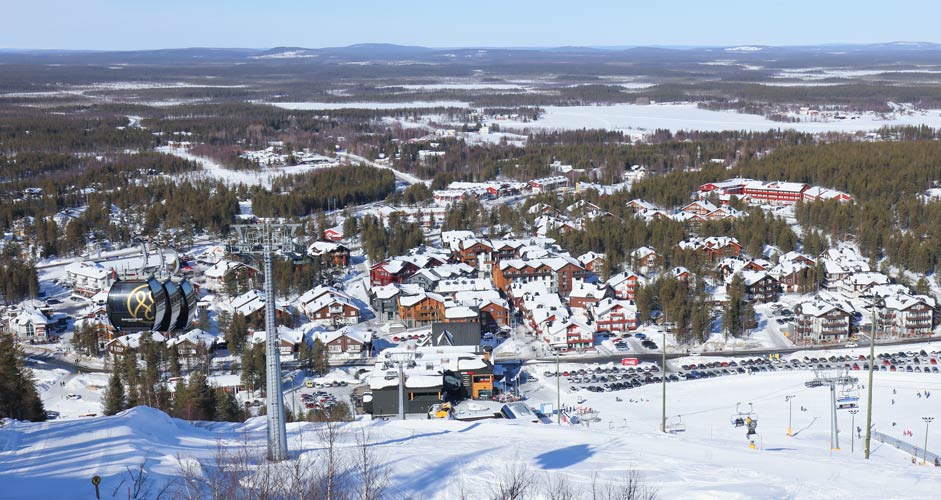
(904, 316)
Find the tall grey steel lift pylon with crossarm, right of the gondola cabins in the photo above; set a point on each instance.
(265, 238)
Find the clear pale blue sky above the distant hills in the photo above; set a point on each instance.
(151, 24)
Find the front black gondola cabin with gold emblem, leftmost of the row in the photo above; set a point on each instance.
(137, 305)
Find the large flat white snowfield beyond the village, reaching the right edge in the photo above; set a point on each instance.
(635, 119)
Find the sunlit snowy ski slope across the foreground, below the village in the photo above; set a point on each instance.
(437, 459)
